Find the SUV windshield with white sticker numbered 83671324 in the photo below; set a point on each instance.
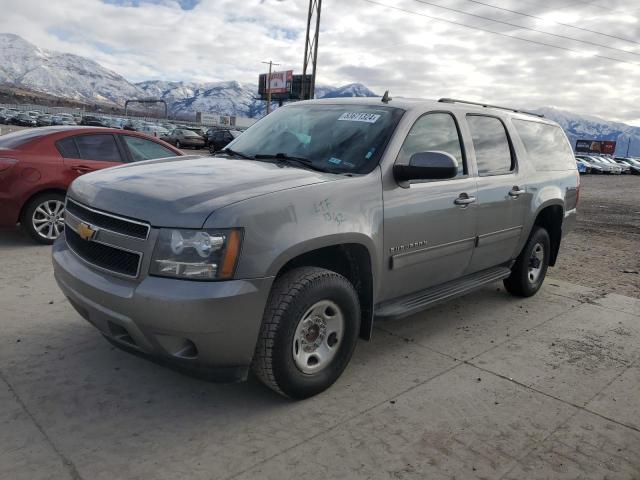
(336, 138)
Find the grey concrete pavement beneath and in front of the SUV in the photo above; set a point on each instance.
(486, 386)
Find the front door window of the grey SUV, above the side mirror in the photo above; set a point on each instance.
(433, 131)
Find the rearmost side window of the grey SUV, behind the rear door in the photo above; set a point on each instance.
(546, 145)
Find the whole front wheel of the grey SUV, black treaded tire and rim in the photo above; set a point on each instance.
(304, 312)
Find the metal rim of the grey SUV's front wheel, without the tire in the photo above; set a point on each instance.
(318, 337)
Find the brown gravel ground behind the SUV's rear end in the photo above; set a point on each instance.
(603, 251)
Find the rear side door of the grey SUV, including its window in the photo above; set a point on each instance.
(502, 197)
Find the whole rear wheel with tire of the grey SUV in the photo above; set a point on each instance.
(531, 266)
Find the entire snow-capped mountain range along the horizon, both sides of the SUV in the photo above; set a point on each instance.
(67, 76)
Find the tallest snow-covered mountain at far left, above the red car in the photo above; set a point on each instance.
(27, 66)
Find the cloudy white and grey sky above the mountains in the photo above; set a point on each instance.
(411, 47)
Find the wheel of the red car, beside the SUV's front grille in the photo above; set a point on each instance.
(43, 217)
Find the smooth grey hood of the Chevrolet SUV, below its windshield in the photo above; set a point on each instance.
(182, 192)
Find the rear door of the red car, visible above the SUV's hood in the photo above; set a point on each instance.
(87, 153)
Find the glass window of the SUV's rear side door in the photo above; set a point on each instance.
(490, 141)
